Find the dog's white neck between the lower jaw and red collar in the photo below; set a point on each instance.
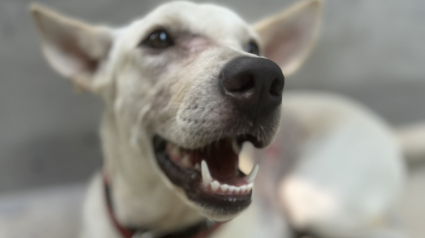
(140, 197)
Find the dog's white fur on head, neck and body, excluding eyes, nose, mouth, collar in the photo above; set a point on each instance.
(348, 170)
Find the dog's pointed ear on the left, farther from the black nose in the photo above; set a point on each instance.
(73, 48)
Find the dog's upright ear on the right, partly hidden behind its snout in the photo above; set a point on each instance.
(287, 38)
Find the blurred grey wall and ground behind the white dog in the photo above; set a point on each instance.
(369, 50)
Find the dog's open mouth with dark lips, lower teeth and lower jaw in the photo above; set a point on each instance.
(209, 175)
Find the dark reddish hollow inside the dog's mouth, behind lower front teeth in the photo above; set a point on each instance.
(222, 160)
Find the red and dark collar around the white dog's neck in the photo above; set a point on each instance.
(200, 230)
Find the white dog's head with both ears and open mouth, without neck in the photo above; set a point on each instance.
(189, 84)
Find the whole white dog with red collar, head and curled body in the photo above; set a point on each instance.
(184, 88)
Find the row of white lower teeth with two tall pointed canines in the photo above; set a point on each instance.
(215, 185)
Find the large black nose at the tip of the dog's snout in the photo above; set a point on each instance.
(255, 85)
